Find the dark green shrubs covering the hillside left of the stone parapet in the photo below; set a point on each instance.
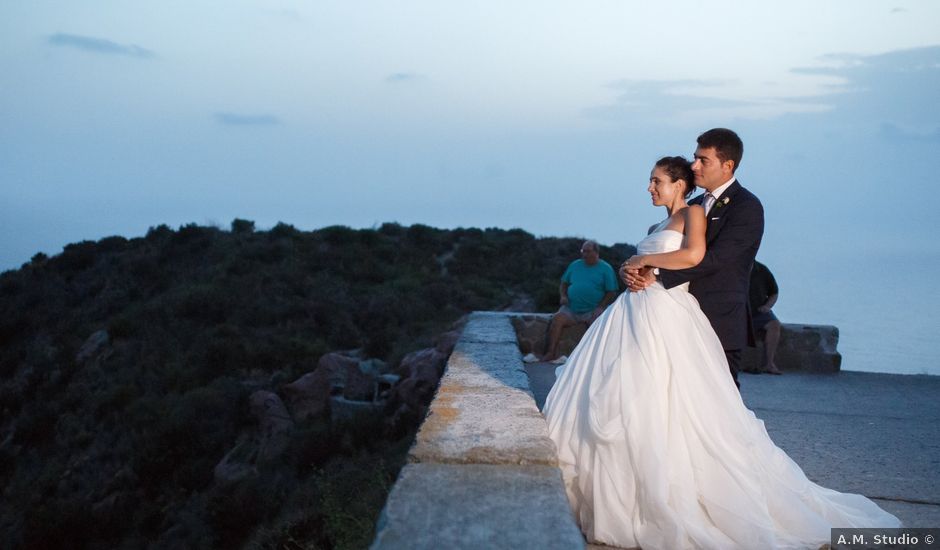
(115, 445)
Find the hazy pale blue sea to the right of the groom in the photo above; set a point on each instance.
(887, 309)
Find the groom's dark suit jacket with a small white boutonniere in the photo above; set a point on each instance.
(720, 281)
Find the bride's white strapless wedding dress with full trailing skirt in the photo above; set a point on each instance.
(657, 449)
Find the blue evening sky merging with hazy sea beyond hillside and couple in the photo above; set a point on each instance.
(547, 116)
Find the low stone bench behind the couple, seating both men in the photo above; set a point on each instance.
(810, 348)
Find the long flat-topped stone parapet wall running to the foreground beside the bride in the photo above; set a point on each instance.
(482, 472)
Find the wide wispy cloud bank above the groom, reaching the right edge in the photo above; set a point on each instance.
(896, 88)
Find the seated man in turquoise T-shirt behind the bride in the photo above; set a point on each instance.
(587, 287)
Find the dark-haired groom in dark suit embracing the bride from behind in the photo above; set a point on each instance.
(735, 220)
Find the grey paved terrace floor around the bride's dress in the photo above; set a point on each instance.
(868, 433)
